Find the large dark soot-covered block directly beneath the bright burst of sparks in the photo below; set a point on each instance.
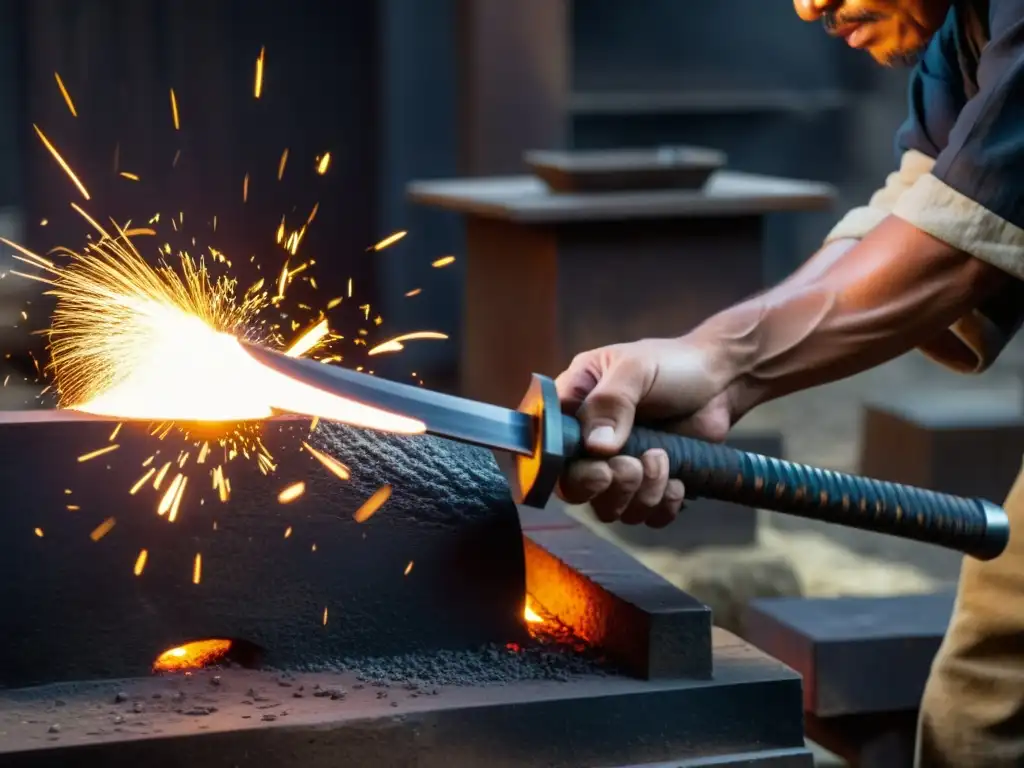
(74, 611)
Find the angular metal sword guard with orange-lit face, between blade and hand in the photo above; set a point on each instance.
(535, 478)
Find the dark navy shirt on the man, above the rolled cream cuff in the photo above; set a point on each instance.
(967, 105)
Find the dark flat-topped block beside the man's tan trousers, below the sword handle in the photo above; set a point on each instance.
(844, 647)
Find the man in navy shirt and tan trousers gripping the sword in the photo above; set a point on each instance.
(934, 262)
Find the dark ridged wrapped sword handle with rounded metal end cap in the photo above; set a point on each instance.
(974, 527)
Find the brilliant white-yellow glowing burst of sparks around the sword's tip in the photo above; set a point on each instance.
(137, 343)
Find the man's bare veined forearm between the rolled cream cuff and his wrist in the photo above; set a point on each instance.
(852, 307)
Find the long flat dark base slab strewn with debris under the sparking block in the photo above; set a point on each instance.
(751, 711)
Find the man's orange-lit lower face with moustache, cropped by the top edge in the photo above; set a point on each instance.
(892, 31)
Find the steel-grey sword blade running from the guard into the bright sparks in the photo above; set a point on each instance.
(446, 416)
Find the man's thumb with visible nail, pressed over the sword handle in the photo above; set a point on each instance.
(608, 412)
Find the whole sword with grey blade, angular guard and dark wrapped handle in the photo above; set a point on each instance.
(543, 439)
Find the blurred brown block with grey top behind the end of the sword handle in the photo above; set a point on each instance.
(955, 443)
